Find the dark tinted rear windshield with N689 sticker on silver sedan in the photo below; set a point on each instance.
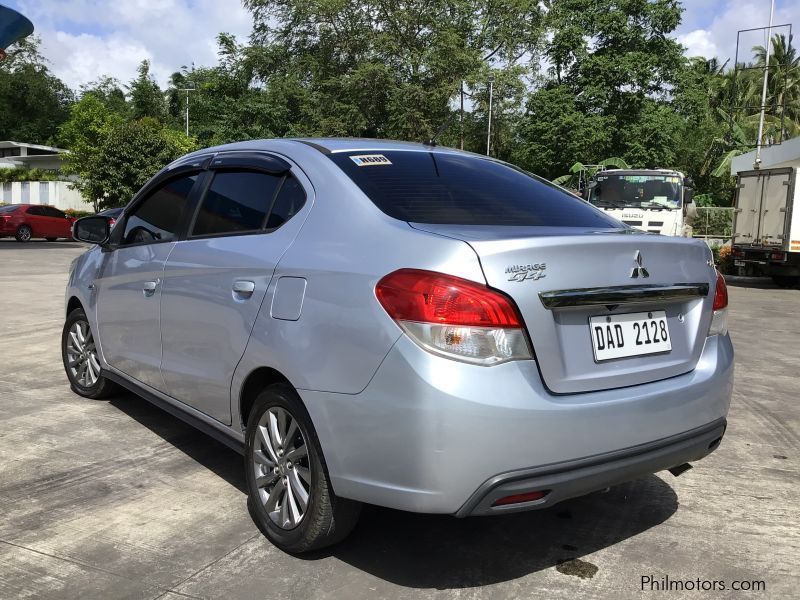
(459, 189)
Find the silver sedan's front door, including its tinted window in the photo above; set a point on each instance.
(129, 288)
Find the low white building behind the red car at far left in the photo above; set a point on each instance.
(16, 155)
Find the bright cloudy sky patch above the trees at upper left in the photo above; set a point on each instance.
(86, 39)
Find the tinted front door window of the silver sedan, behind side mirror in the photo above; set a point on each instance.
(156, 219)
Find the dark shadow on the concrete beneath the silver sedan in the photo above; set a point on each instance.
(441, 551)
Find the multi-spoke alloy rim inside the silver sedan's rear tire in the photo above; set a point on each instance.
(282, 468)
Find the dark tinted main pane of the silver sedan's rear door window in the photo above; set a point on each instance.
(236, 202)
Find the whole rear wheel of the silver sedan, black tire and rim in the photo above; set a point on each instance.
(278, 512)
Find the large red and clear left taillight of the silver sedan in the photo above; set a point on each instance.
(454, 317)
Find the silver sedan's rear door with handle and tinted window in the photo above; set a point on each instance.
(216, 279)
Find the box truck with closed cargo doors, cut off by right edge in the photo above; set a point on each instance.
(766, 225)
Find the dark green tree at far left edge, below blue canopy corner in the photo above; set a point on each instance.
(33, 101)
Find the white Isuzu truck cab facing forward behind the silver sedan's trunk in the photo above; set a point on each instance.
(653, 200)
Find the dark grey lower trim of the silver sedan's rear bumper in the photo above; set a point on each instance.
(568, 480)
